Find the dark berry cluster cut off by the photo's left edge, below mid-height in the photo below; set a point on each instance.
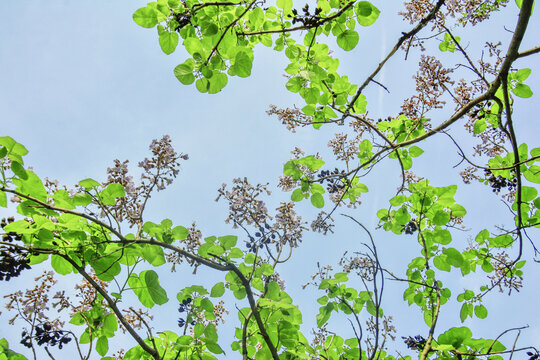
(12, 260)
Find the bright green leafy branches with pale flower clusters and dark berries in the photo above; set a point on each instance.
(100, 232)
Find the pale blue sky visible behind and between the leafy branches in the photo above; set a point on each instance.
(81, 85)
